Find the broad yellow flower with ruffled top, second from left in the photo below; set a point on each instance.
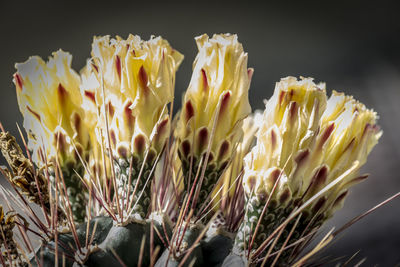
(138, 79)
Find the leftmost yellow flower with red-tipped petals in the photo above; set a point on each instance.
(49, 99)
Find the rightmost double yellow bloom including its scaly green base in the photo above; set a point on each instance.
(305, 143)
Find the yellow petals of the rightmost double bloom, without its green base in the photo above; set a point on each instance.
(309, 141)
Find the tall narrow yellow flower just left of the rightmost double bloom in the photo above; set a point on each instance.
(217, 96)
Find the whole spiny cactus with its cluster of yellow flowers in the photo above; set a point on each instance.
(118, 181)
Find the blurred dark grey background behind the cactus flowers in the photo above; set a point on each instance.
(352, 46)
